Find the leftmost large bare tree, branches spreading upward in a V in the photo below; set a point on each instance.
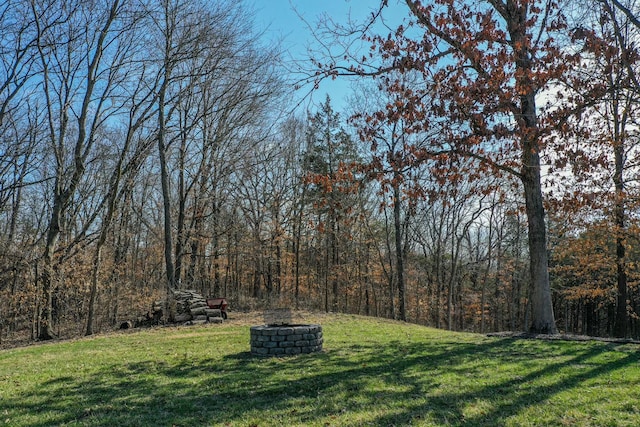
(79, 69)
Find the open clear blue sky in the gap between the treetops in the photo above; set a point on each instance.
(285, 20)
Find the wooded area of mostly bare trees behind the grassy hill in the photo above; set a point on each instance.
(484, 177)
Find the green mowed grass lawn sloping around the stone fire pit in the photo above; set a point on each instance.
(372, 372)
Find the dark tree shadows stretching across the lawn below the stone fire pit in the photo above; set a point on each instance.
(237, 388)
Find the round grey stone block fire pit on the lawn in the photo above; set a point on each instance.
(272, 340)
